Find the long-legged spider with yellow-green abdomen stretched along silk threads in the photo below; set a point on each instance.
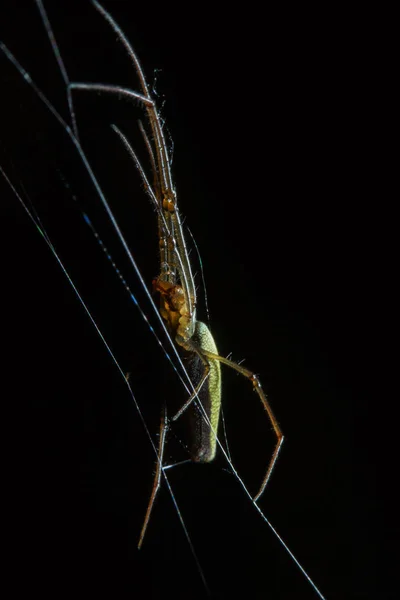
(176, 288)
